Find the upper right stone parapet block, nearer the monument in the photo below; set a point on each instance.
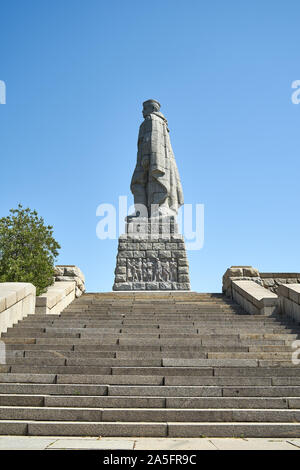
(255, 299)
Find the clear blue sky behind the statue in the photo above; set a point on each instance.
(76, 74)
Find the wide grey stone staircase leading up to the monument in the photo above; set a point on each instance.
(151, 364)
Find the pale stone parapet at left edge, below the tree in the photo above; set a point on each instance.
(17, 300)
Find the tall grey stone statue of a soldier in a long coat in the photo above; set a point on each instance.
(155, 180)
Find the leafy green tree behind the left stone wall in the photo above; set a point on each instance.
(27, 249)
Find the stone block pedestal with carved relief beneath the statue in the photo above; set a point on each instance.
(151, 256)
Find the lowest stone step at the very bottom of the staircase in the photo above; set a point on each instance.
(146, 429)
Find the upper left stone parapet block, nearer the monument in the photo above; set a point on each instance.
(56, 298)
